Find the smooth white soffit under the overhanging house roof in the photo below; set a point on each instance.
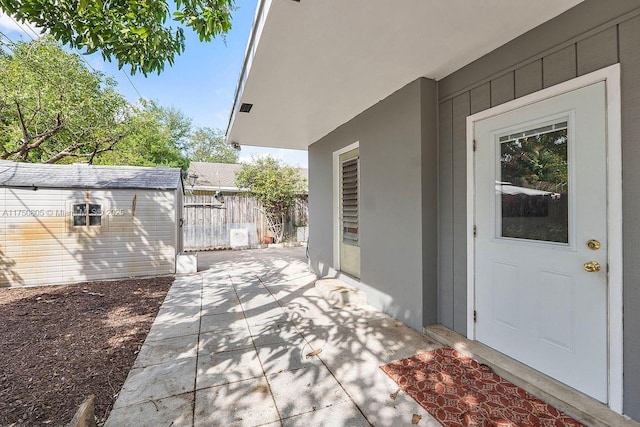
(316, 64)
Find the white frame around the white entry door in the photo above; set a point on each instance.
(611, 76)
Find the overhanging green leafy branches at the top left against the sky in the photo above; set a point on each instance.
(117, 27)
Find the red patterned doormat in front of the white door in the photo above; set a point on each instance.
(458, 391)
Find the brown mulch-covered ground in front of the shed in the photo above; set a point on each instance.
(59, 344)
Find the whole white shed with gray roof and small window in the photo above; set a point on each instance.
(71, 223)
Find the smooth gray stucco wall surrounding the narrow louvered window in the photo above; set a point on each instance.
(391, 135)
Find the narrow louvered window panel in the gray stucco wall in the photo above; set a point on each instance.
(350, 202)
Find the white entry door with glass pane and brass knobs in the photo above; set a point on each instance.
(541, 236)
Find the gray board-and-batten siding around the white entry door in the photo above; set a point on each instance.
(591, 36)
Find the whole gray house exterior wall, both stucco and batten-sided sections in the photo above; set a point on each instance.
(399, 205)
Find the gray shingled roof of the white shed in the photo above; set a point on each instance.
(78, 175)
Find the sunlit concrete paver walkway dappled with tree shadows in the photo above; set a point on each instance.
(248, 341)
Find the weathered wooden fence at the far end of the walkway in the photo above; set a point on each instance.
(209, 225)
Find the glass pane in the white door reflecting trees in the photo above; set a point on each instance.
(533, 189)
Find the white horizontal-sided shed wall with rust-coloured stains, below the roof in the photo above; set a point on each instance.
(39, 245)
